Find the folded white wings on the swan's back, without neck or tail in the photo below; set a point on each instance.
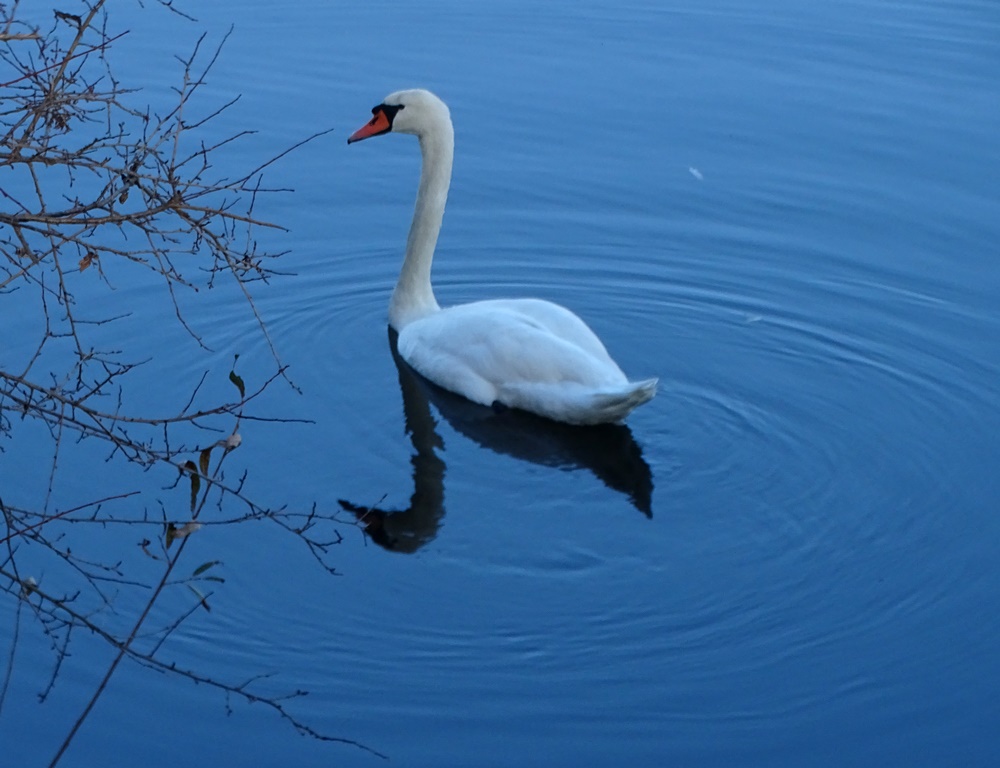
(501, 350)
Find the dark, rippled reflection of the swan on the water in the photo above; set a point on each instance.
(608, 450)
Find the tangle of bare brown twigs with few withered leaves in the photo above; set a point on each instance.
(94, 187)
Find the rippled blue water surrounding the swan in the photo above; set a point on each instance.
(790, 214)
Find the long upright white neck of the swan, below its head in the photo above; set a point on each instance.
(413, 297)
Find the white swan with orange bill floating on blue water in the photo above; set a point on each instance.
(516, 353)
